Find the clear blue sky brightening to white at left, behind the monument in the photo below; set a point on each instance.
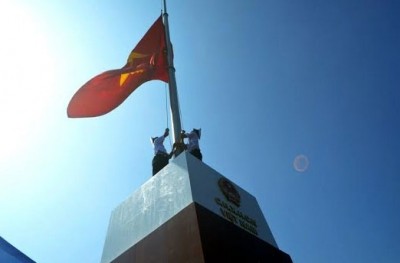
(265, 80)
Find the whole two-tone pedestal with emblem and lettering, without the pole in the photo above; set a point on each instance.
(189, 212)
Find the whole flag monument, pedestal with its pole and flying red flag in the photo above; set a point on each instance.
(187, 212)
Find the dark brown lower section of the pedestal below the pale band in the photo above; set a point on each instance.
(196, 235)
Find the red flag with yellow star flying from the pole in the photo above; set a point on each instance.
(105, 92)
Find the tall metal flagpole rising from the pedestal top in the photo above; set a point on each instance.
(173, 94)
